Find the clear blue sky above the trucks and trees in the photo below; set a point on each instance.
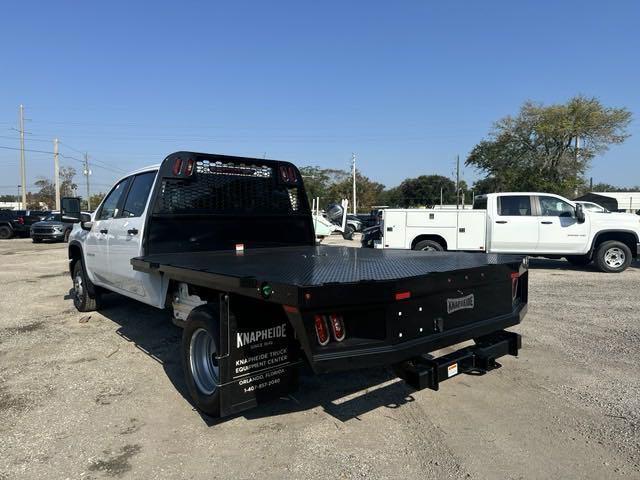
(405, 85)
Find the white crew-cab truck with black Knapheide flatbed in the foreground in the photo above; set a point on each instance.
(227, 244)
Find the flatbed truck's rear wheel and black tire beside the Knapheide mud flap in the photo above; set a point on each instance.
(203, 386)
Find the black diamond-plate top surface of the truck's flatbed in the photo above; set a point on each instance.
(308, 266)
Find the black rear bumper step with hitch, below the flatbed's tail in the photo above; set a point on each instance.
(422, 372)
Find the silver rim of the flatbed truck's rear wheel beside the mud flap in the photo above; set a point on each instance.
(203, 361)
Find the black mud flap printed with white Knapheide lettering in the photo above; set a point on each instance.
(259, 358)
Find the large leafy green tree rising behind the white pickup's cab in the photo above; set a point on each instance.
(536, 150)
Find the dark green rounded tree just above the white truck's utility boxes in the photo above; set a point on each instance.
(425, 191)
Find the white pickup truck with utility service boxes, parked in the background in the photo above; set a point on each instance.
(536, 224)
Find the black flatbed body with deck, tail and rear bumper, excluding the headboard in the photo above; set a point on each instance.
(394, 301)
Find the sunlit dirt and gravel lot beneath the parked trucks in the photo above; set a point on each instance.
(105, 398)
